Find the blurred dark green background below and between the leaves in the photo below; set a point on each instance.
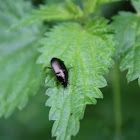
(98, 123)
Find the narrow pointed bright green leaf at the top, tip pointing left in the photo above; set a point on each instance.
(53, 12)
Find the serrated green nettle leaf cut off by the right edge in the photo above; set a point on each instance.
(127, 26)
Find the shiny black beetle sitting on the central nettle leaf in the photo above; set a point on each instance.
(60, 71)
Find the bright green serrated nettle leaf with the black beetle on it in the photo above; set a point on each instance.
(90, 56)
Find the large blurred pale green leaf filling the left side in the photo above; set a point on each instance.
(20, 76)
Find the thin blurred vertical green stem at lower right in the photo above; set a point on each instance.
(117, 100)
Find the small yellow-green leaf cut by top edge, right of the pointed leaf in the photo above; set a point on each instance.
(90, 6)
